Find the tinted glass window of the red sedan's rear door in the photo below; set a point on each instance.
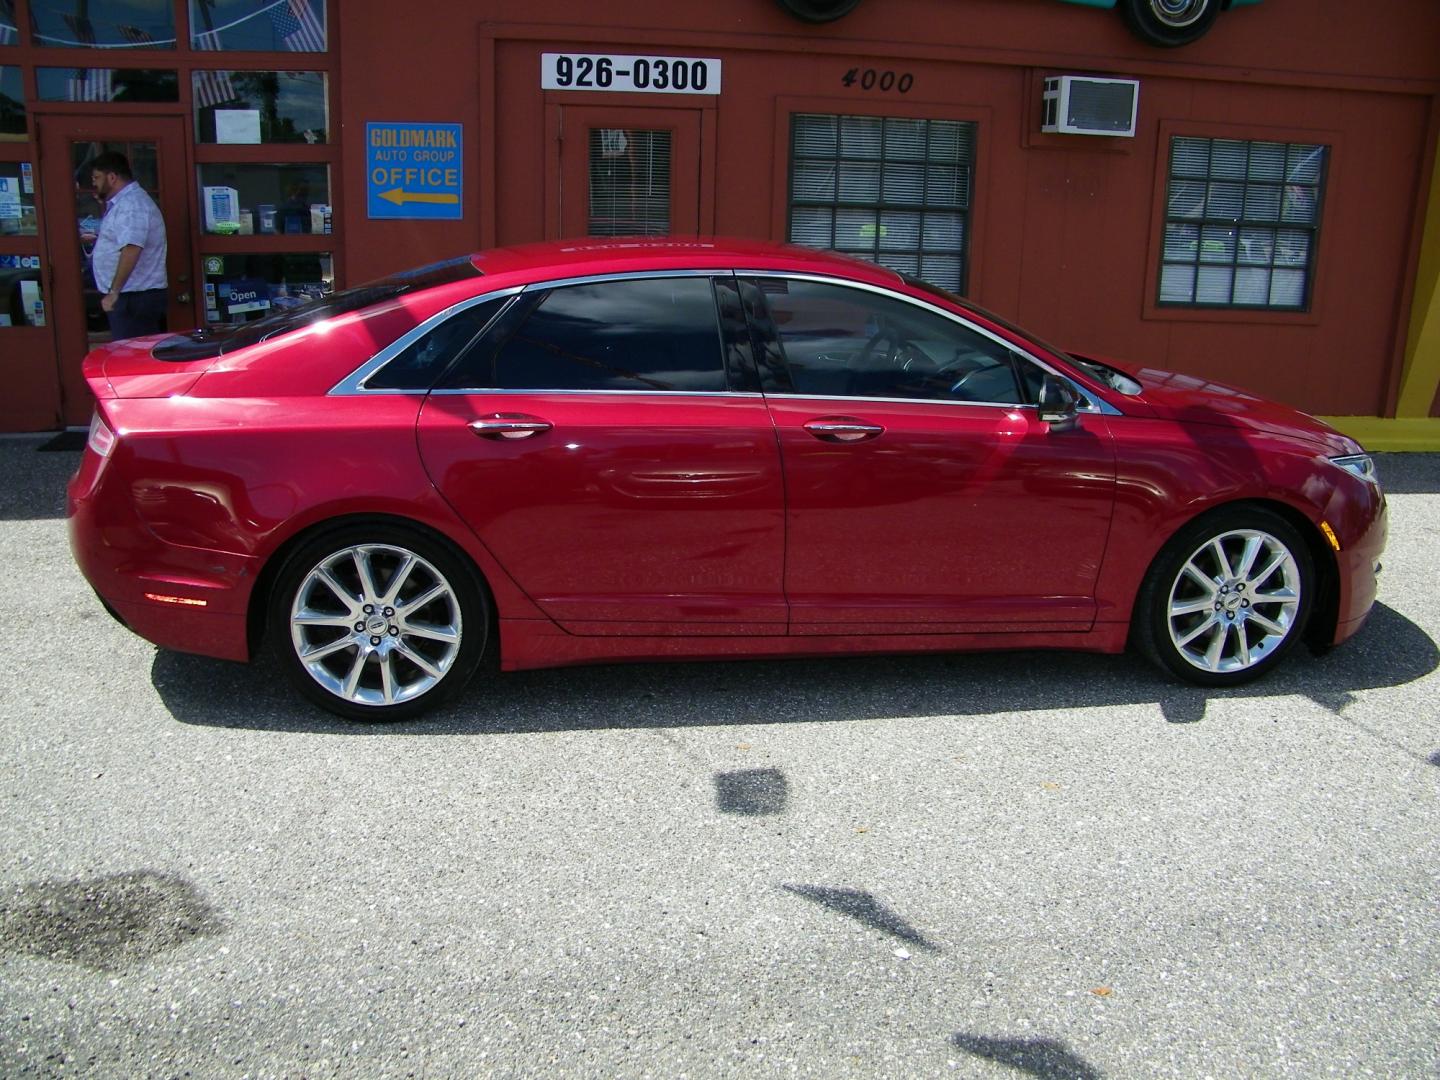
(653, 335)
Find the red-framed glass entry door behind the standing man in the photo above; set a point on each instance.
(156, 150)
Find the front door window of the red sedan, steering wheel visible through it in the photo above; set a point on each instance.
(855, 343)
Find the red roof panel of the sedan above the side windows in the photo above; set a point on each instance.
(585, 257)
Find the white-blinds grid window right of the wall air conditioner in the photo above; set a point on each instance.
(1242, 224)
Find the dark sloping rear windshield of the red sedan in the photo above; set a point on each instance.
(211, 342)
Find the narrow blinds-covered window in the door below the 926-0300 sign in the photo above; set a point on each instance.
(630, 182)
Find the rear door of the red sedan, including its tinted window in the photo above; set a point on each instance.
(595, 444)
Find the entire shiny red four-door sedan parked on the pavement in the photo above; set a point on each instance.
(654, 450)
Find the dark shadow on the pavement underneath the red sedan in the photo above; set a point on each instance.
(1390, 652)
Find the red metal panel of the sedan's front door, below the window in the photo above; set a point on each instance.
(950, 519)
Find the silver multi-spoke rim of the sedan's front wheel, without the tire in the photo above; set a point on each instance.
(1235, 601)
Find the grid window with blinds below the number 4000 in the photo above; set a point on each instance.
(896, 192)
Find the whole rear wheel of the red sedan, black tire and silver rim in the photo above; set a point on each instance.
(404, 654)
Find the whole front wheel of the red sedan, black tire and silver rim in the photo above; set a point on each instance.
(1241, 624)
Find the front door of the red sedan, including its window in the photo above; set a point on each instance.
(925, 496)
